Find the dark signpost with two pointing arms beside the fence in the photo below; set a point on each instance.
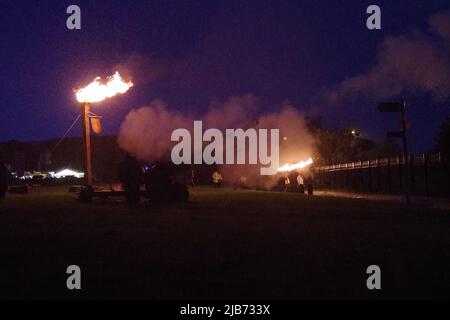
(400, 107)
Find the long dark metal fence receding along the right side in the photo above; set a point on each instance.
(429, 175)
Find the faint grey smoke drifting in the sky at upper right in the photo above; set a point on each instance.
(417, 62)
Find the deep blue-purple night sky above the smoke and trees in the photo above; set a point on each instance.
(192, 53)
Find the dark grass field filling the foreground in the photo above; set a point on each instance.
(222, 244)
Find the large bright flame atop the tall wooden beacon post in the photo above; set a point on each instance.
(97, 91)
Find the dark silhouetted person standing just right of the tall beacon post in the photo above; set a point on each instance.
(131, 176)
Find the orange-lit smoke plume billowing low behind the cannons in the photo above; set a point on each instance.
(146, 132)
